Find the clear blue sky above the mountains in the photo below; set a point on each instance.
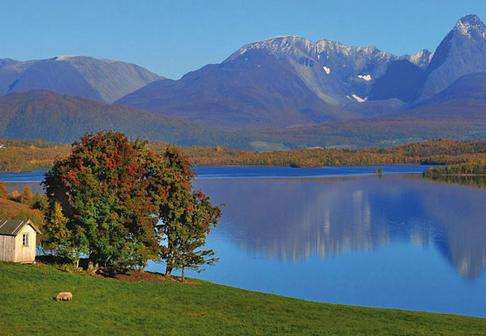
(174, 37)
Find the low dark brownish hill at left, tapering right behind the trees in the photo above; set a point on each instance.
(49, 116)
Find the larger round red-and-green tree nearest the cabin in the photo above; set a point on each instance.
(102, 188)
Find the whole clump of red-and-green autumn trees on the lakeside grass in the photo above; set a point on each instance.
(122, 204)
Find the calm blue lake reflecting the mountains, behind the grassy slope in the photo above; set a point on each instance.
(345, 235)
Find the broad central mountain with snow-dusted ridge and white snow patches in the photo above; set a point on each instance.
(277, 82)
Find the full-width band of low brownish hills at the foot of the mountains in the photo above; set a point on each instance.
(63, 119)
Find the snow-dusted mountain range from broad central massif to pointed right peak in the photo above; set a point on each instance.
(288, 81)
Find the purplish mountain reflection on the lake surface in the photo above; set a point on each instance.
(298, 218)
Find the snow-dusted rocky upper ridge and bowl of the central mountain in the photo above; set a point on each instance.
(335, 72)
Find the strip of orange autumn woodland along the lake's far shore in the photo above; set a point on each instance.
(21, 157)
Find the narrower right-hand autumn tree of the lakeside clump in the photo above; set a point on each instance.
(185, 217)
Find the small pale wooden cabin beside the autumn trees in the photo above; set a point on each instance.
(18, 241)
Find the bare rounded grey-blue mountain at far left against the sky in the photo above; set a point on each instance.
(99, 79)
